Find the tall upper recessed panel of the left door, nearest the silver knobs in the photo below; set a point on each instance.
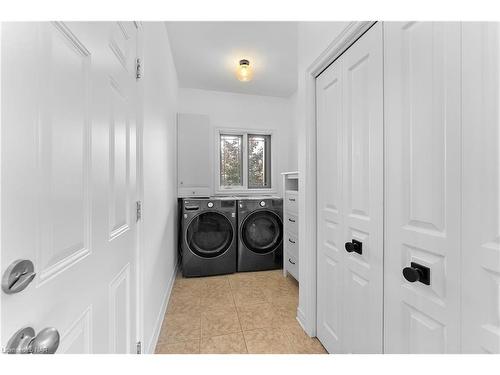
(64, 113)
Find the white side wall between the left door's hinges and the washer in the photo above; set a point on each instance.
(159, 253)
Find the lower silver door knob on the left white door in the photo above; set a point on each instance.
(24, 341)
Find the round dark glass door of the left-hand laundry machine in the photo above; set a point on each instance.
(209, 234)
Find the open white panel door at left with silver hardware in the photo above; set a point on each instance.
(68, 181)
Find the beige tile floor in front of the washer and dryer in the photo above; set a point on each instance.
(241, 313)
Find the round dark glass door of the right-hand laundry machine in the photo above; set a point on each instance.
(261, 231)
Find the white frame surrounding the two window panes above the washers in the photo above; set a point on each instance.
(242, 189)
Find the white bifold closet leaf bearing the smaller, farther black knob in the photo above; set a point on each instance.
(363, 194)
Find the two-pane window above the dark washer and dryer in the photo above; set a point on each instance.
(244, 160)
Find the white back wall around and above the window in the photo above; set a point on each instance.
(233, 110)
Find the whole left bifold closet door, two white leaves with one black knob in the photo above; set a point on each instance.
(349, 98)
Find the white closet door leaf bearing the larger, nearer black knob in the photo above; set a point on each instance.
(422, 184)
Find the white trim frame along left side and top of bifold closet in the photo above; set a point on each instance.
(306, 312)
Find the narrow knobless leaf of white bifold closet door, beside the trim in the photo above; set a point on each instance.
(330, 256)
